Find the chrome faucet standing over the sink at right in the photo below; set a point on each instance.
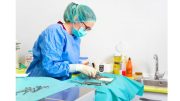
(157, 75)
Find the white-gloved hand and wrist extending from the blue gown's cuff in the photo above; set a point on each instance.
(90, 71)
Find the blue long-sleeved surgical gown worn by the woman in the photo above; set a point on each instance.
(53, 51)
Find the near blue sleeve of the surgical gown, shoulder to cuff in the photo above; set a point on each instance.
(51, 45)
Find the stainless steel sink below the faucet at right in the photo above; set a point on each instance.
(157, 83)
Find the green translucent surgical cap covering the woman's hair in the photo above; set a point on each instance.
(79, 13)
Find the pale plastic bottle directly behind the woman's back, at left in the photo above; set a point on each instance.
(28, 58)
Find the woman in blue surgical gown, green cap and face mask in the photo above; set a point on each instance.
(56, 52)
